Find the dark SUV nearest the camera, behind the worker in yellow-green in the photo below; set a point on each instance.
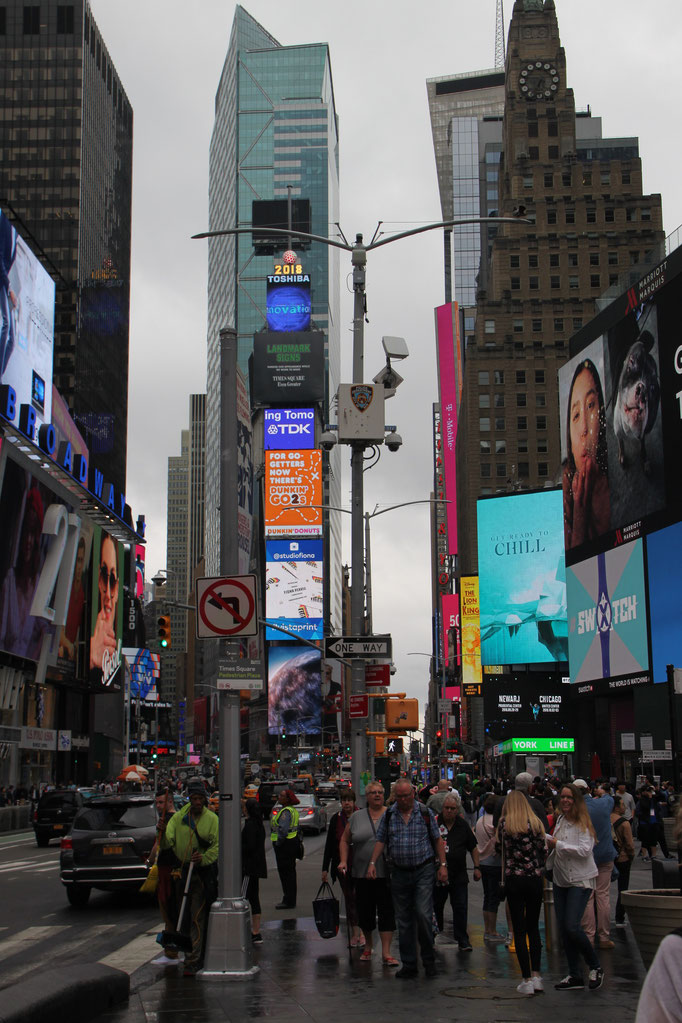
(109, 847)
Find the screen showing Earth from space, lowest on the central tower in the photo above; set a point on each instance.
(295, 693)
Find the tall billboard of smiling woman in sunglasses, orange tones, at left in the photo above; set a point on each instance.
(107, 612)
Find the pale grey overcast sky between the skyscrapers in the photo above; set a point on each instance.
(623, 62)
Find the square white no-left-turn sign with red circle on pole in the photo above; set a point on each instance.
(226, 607)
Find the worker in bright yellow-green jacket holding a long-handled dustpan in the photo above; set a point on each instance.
(193, 834)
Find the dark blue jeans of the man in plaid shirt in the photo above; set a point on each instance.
(413, 891)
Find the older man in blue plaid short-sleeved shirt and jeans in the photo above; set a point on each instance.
(413, 841)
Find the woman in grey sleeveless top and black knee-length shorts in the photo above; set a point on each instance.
(373, 898)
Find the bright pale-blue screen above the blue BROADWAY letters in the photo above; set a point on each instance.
(27, 324)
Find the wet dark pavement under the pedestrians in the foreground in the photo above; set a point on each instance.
(304, 977)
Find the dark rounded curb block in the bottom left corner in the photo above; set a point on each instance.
(62, 996)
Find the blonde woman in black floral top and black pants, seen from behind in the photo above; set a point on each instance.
(521, 835)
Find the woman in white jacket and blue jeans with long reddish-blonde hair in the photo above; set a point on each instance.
(574, 875)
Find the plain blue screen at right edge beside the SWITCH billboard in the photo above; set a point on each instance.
(664, 559)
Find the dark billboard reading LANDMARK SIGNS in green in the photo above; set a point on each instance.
(289, 369)
